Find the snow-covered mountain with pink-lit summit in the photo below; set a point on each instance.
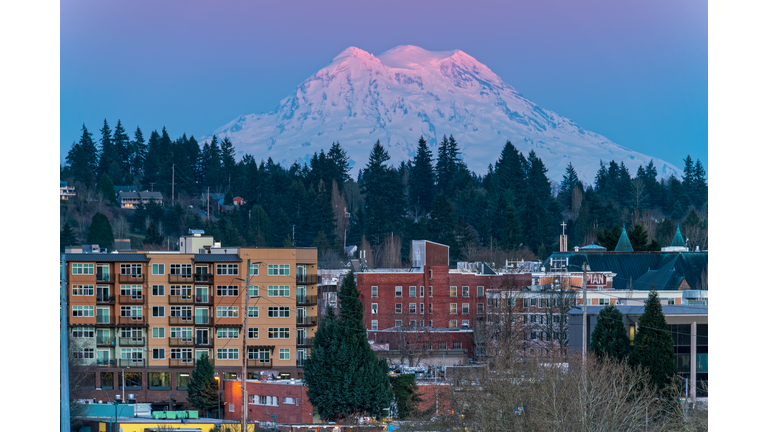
(409, 92)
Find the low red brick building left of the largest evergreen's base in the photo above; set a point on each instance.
(286, 398)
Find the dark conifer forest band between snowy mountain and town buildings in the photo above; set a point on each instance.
(513, 207)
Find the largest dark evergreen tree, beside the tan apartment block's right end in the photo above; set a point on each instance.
(343, 375)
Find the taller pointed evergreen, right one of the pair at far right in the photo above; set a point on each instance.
(653, 344)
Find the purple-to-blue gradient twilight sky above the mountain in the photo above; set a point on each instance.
(635, 72)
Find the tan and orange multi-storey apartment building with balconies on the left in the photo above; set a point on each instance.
(151, 315)
